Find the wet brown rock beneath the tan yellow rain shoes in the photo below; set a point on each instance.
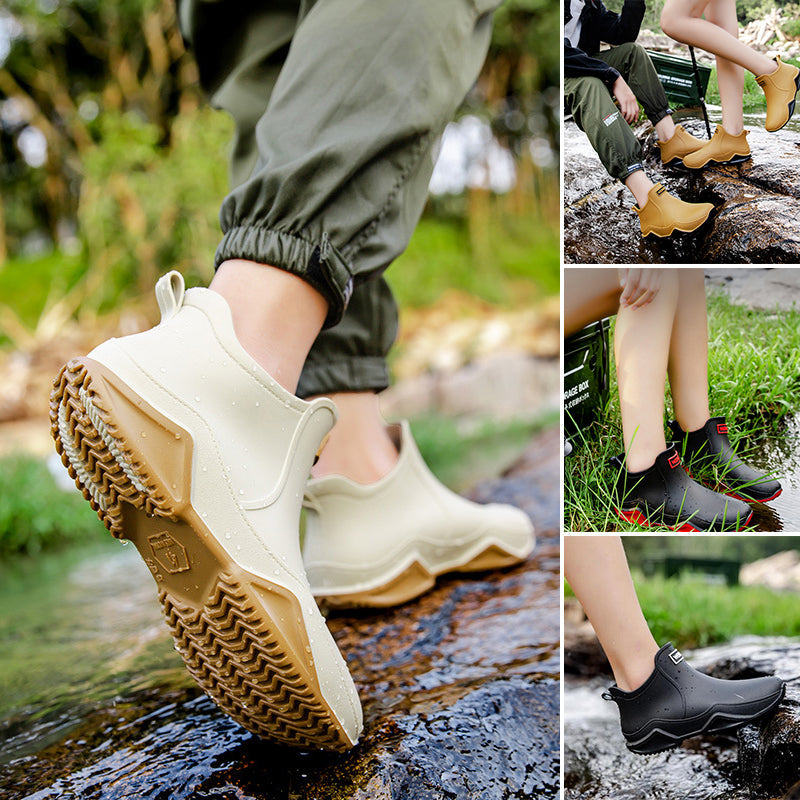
(757, 216)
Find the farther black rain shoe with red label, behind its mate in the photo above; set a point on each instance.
(709, 447)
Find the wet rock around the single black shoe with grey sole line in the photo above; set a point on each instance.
(762, 764)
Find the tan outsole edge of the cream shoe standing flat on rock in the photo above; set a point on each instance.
(417, 579)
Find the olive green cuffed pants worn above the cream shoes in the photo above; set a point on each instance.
(338, 106)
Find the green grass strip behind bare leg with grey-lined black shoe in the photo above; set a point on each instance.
(690, 612)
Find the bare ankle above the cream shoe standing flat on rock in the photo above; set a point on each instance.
(359, 446)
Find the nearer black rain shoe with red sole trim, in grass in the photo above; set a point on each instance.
(665, 495)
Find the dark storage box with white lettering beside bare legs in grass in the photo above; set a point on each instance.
(586, 375)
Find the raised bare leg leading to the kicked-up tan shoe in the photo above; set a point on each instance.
(682, 20)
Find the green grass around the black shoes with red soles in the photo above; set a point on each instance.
(754, 374)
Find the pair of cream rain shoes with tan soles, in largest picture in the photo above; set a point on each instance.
(183, 444)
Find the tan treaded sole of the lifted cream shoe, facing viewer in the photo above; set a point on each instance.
(241, 636)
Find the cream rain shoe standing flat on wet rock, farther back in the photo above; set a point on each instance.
(384, 544)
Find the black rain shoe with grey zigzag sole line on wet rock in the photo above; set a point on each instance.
(677, 702)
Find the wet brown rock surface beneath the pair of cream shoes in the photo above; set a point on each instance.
(460, 693)
